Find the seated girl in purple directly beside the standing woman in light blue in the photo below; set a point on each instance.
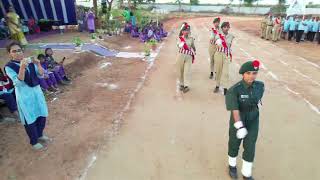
(48, 82)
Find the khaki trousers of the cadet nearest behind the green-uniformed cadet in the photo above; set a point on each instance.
(221, 66)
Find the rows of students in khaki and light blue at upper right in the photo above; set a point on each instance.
(300, 28)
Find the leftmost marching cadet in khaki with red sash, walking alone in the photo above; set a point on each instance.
(186, 57)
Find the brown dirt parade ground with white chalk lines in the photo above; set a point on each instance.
(166, 134)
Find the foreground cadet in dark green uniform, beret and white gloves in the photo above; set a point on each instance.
(242, 100)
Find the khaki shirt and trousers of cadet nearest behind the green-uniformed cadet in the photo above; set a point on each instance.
(222, 60)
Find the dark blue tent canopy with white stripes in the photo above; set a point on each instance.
(58, 10)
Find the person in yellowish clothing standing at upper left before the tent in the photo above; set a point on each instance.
(13, 22)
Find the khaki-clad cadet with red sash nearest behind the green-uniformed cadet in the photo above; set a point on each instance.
(223, 57)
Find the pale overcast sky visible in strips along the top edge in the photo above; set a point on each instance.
(211, 1)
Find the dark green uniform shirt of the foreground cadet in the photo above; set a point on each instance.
(243, 97)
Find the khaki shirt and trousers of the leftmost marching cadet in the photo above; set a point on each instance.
(184, 62)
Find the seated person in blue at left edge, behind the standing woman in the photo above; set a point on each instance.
(7, 94)
